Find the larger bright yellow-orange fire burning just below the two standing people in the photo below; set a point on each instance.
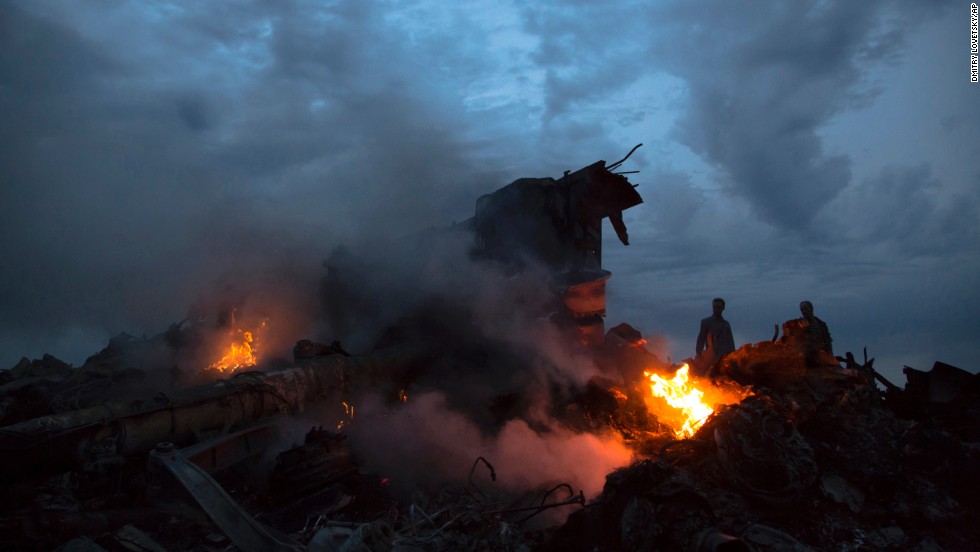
(686, 406)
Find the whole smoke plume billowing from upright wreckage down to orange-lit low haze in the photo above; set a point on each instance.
(502, 367)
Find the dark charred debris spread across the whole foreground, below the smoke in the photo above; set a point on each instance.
(823, 461)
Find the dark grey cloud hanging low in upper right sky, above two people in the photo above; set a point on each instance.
(762, 80)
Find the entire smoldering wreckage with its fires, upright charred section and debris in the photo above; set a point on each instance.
(774, 452)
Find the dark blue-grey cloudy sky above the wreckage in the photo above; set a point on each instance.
(822, 150)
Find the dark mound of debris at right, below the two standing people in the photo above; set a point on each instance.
(824, 463)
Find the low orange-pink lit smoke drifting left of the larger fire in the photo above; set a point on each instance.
(425, 443)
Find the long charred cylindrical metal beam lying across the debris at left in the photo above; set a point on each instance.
(117, 429)
